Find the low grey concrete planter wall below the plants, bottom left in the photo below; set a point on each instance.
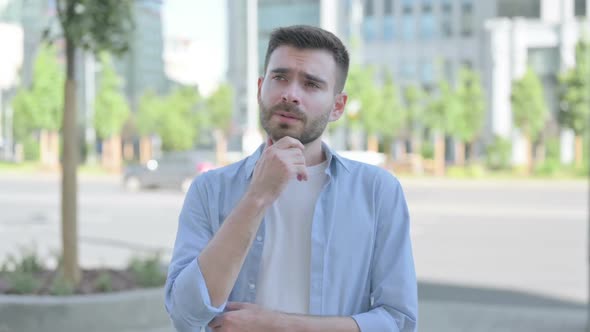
(129, 311)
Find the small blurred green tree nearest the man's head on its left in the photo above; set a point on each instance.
(219, 110)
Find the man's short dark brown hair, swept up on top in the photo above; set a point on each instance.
(310, 37)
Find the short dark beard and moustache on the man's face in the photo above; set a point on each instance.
(312, 128)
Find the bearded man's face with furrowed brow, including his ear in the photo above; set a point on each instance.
(296, 96)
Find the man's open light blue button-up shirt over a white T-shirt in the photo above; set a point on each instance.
(361, 254)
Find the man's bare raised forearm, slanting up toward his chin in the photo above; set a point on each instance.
(222, 258)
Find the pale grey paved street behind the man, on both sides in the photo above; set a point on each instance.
(490, 255)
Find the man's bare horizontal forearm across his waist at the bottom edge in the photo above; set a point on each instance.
(302, 323)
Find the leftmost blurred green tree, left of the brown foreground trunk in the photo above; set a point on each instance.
(40, 107)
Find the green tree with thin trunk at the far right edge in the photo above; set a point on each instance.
(575, 97)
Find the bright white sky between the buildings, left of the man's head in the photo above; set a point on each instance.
(203, 22)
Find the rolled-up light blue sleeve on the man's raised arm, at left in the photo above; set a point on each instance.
(187, 297)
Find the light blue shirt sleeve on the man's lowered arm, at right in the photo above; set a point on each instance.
(394, 289)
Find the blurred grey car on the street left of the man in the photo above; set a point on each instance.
(172, 170)
